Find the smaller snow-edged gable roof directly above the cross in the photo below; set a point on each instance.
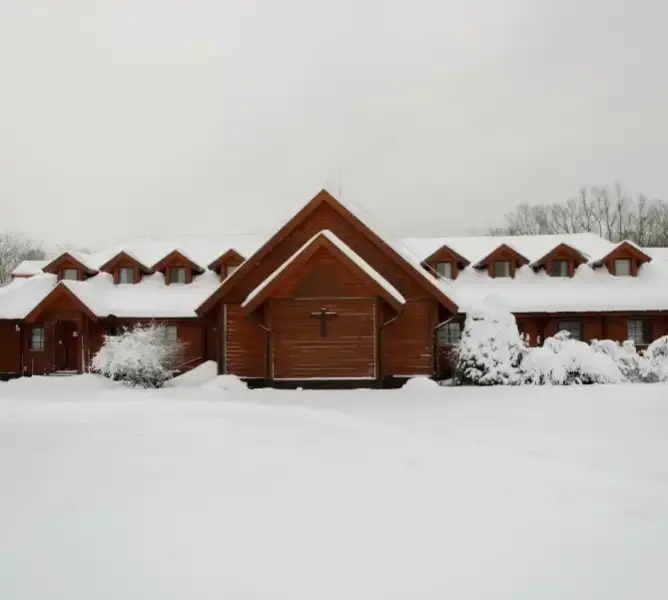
(326, 239)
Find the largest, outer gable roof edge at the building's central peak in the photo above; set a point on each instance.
(414, 271)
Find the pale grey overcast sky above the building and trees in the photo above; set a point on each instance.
(150, 117)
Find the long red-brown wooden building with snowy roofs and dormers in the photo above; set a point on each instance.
(327, 298)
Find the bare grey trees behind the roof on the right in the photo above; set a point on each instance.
(607, 211)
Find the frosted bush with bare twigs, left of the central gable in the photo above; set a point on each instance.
(141, 356)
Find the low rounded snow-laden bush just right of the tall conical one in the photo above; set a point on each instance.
(564, 361)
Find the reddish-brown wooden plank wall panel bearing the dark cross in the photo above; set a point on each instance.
(323, 339)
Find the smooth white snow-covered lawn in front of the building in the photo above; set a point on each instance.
(194, 492)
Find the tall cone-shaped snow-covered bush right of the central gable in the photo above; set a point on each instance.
(491, 348)
